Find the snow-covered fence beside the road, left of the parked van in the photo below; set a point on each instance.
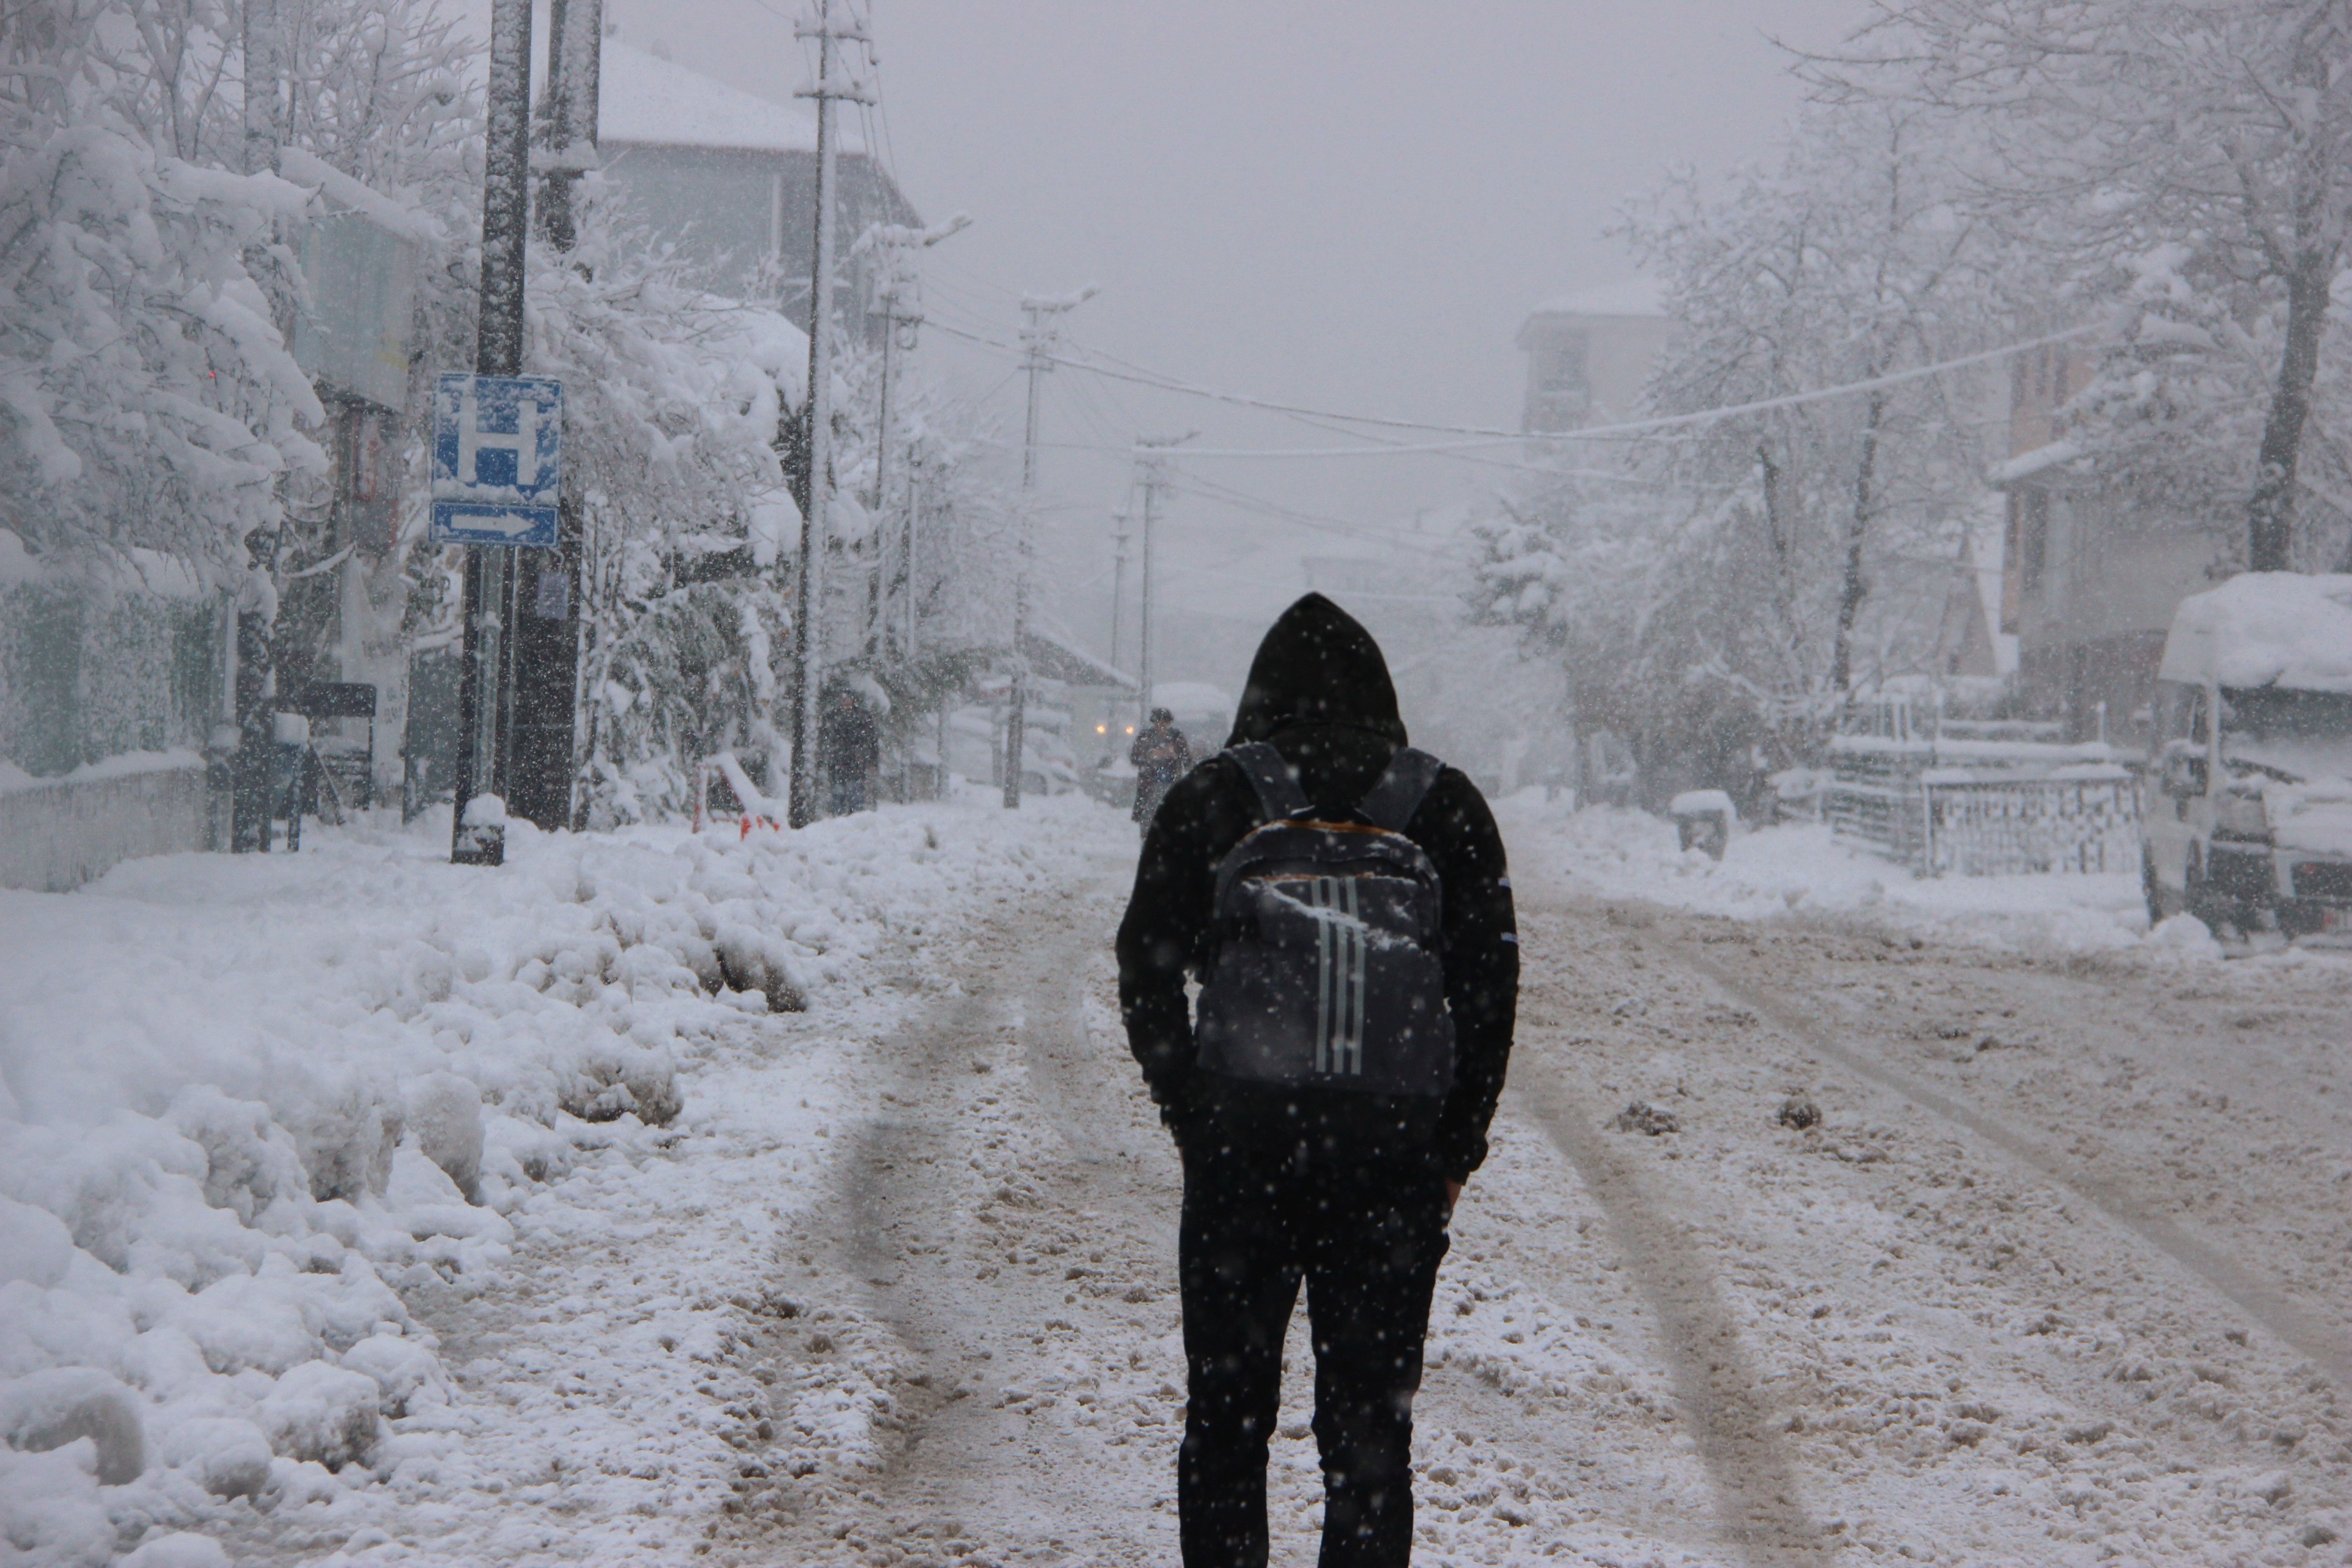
(1986, 808)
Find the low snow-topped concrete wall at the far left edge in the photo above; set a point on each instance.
(60, 833)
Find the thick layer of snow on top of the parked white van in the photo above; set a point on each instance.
(2266, 629)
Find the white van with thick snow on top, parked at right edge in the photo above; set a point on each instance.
(2250, 810)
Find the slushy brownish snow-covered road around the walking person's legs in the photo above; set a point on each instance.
(2054, 1278)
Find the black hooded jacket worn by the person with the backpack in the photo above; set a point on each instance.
(1321, 695)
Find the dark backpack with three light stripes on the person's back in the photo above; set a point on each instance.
(1328, 944)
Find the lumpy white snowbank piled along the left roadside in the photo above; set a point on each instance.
(250, 1108)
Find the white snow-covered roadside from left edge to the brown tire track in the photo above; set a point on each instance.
(363, 1205)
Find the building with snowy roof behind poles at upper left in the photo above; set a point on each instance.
(730, 180)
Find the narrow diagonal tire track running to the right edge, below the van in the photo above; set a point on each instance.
(2224, 1275)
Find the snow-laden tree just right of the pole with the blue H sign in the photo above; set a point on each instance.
(688, 523)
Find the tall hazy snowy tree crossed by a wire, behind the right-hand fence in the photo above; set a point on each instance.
(1845, 267)
